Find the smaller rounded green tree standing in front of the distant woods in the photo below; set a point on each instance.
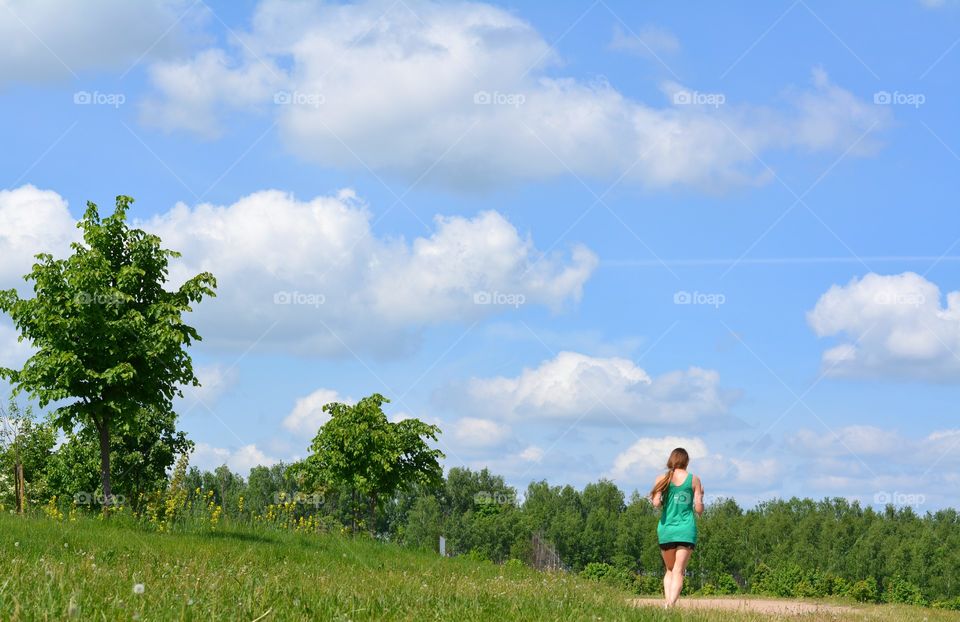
(359, 448)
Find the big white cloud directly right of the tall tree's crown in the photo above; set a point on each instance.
(313, 277)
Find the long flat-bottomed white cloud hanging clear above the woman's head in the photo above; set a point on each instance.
(574, 385)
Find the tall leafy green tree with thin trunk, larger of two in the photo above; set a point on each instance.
(107, 335)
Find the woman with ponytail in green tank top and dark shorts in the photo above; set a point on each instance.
(679, 494)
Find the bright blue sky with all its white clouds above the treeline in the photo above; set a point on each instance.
(723, 227)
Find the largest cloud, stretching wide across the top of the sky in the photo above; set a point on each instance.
(465, 94)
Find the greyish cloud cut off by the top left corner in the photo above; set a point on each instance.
(51, 39)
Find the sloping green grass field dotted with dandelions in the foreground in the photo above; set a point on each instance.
(88, 569)
